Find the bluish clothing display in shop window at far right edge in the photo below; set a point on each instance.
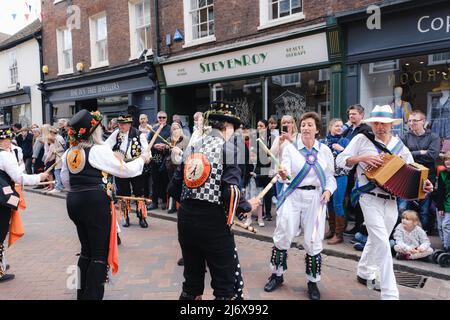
(440, 112)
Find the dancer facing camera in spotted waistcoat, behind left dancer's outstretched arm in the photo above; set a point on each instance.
(129, 144)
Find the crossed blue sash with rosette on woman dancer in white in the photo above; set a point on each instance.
(310, 163)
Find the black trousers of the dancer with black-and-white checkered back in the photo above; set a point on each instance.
(205, 237)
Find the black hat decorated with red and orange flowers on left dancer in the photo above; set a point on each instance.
(82, 125)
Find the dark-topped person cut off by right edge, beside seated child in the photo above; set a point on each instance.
(443, 204)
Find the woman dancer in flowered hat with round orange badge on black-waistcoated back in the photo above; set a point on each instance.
(87, 170)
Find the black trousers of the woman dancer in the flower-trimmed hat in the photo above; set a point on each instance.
(90, 211)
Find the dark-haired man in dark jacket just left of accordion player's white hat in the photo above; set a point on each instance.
(353, 127)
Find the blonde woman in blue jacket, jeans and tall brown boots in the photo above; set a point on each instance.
(336, 213)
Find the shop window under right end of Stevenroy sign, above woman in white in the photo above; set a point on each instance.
(297, 93)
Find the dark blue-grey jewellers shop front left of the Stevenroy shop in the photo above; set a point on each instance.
(112, 93)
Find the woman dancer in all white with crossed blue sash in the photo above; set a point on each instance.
(302, 203)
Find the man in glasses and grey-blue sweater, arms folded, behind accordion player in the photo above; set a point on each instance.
(424, 146)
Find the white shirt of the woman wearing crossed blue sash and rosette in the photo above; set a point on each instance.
(294, 162)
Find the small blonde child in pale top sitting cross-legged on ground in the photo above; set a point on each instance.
(411, 240)
